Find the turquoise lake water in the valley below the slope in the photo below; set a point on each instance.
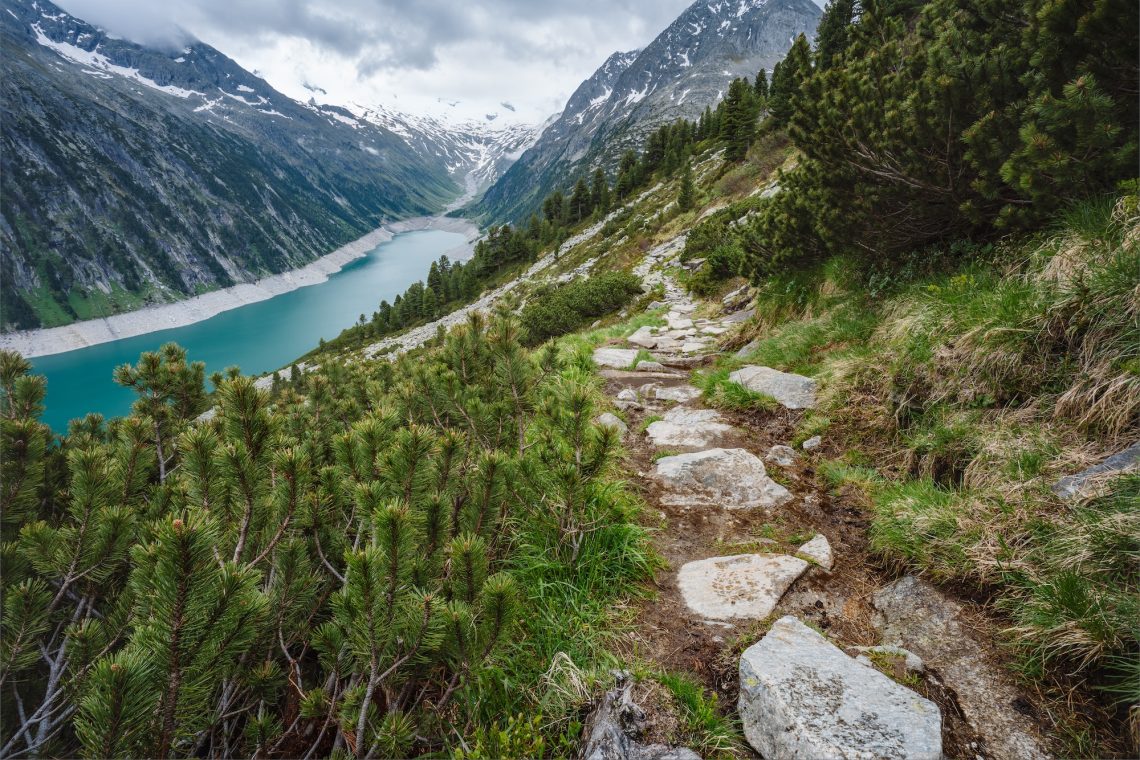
(257, 338)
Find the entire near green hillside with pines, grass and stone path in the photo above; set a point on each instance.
(843, 377)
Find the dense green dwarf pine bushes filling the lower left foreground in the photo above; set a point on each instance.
(323, 570)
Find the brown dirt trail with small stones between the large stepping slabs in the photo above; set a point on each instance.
(841, 603)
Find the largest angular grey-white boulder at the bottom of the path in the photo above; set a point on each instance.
(801, 697)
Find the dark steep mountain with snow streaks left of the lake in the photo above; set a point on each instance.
(133, 176)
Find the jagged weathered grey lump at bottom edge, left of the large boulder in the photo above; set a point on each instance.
(613, 726)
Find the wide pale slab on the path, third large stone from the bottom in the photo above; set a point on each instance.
(734, 479)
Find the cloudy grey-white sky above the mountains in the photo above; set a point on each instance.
(419, 56)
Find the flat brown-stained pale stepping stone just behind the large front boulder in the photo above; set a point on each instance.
(746, 586)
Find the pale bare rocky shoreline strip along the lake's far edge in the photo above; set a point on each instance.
(46, 341)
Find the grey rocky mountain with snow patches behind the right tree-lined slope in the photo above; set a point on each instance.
(689, 67)
